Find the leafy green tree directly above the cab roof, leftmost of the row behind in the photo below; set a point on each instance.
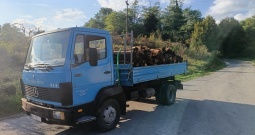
(99, 20)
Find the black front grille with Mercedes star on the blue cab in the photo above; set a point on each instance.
(49, 94)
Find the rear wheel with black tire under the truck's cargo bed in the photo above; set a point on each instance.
(166, 94)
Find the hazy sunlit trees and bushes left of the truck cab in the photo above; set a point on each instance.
(14, 43)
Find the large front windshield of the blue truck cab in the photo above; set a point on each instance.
(49, 49)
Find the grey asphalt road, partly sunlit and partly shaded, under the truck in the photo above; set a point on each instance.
(222, 103)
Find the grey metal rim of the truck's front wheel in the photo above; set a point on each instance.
(109, 114)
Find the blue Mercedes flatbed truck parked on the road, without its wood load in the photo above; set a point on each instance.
(73, 76)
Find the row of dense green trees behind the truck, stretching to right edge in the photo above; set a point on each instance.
(230, 38)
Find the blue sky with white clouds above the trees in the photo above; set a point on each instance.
(53, 14)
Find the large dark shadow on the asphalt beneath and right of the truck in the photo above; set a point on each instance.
(196, 117)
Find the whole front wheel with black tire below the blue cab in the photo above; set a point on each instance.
(108, 115)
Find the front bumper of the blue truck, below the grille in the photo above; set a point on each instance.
(46, 113)
